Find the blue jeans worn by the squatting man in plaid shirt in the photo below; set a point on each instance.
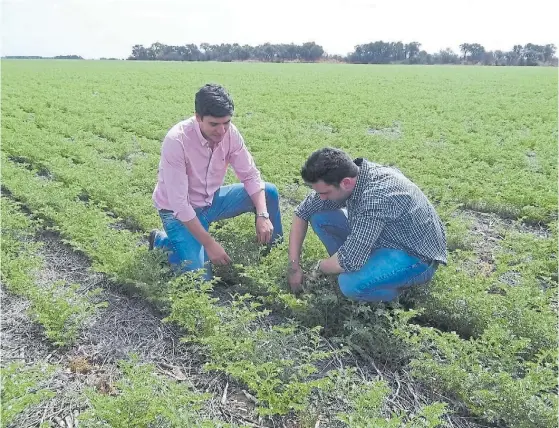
(386, 274)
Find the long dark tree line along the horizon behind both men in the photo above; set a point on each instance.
(378, 52)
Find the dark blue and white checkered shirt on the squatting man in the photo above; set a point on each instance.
(385, 210)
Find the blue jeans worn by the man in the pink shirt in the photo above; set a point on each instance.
(185, 252)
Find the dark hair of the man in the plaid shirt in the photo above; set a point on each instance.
(329, 165)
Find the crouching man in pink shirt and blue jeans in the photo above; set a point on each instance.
(190, 195)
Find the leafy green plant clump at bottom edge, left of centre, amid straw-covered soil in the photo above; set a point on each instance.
(145, 399)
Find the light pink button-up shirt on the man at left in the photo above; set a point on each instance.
(190, 173)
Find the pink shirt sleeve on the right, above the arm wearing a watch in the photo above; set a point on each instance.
(243, 164)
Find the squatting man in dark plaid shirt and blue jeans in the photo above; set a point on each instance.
(382, 233)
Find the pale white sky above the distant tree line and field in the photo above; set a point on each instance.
(109, 28)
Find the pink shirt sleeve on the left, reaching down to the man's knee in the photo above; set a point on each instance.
(175, 179)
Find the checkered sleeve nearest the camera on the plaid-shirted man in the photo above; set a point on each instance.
(366, 228)
